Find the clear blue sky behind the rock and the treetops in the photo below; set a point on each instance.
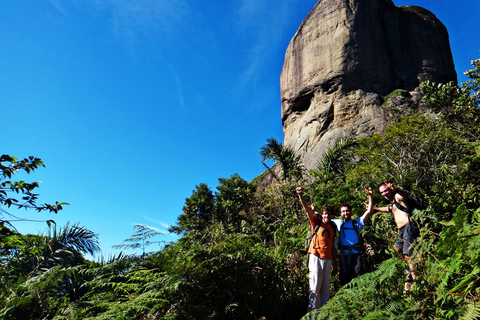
(131, 104)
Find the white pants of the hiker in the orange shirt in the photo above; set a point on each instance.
(319, 271)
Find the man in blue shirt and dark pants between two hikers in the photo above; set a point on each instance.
(350, 240)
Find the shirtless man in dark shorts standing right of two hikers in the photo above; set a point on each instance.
(405, 225)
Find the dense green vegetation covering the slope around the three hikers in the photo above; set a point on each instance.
(241, 253)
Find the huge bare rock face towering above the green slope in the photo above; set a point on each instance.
(345, 57)
